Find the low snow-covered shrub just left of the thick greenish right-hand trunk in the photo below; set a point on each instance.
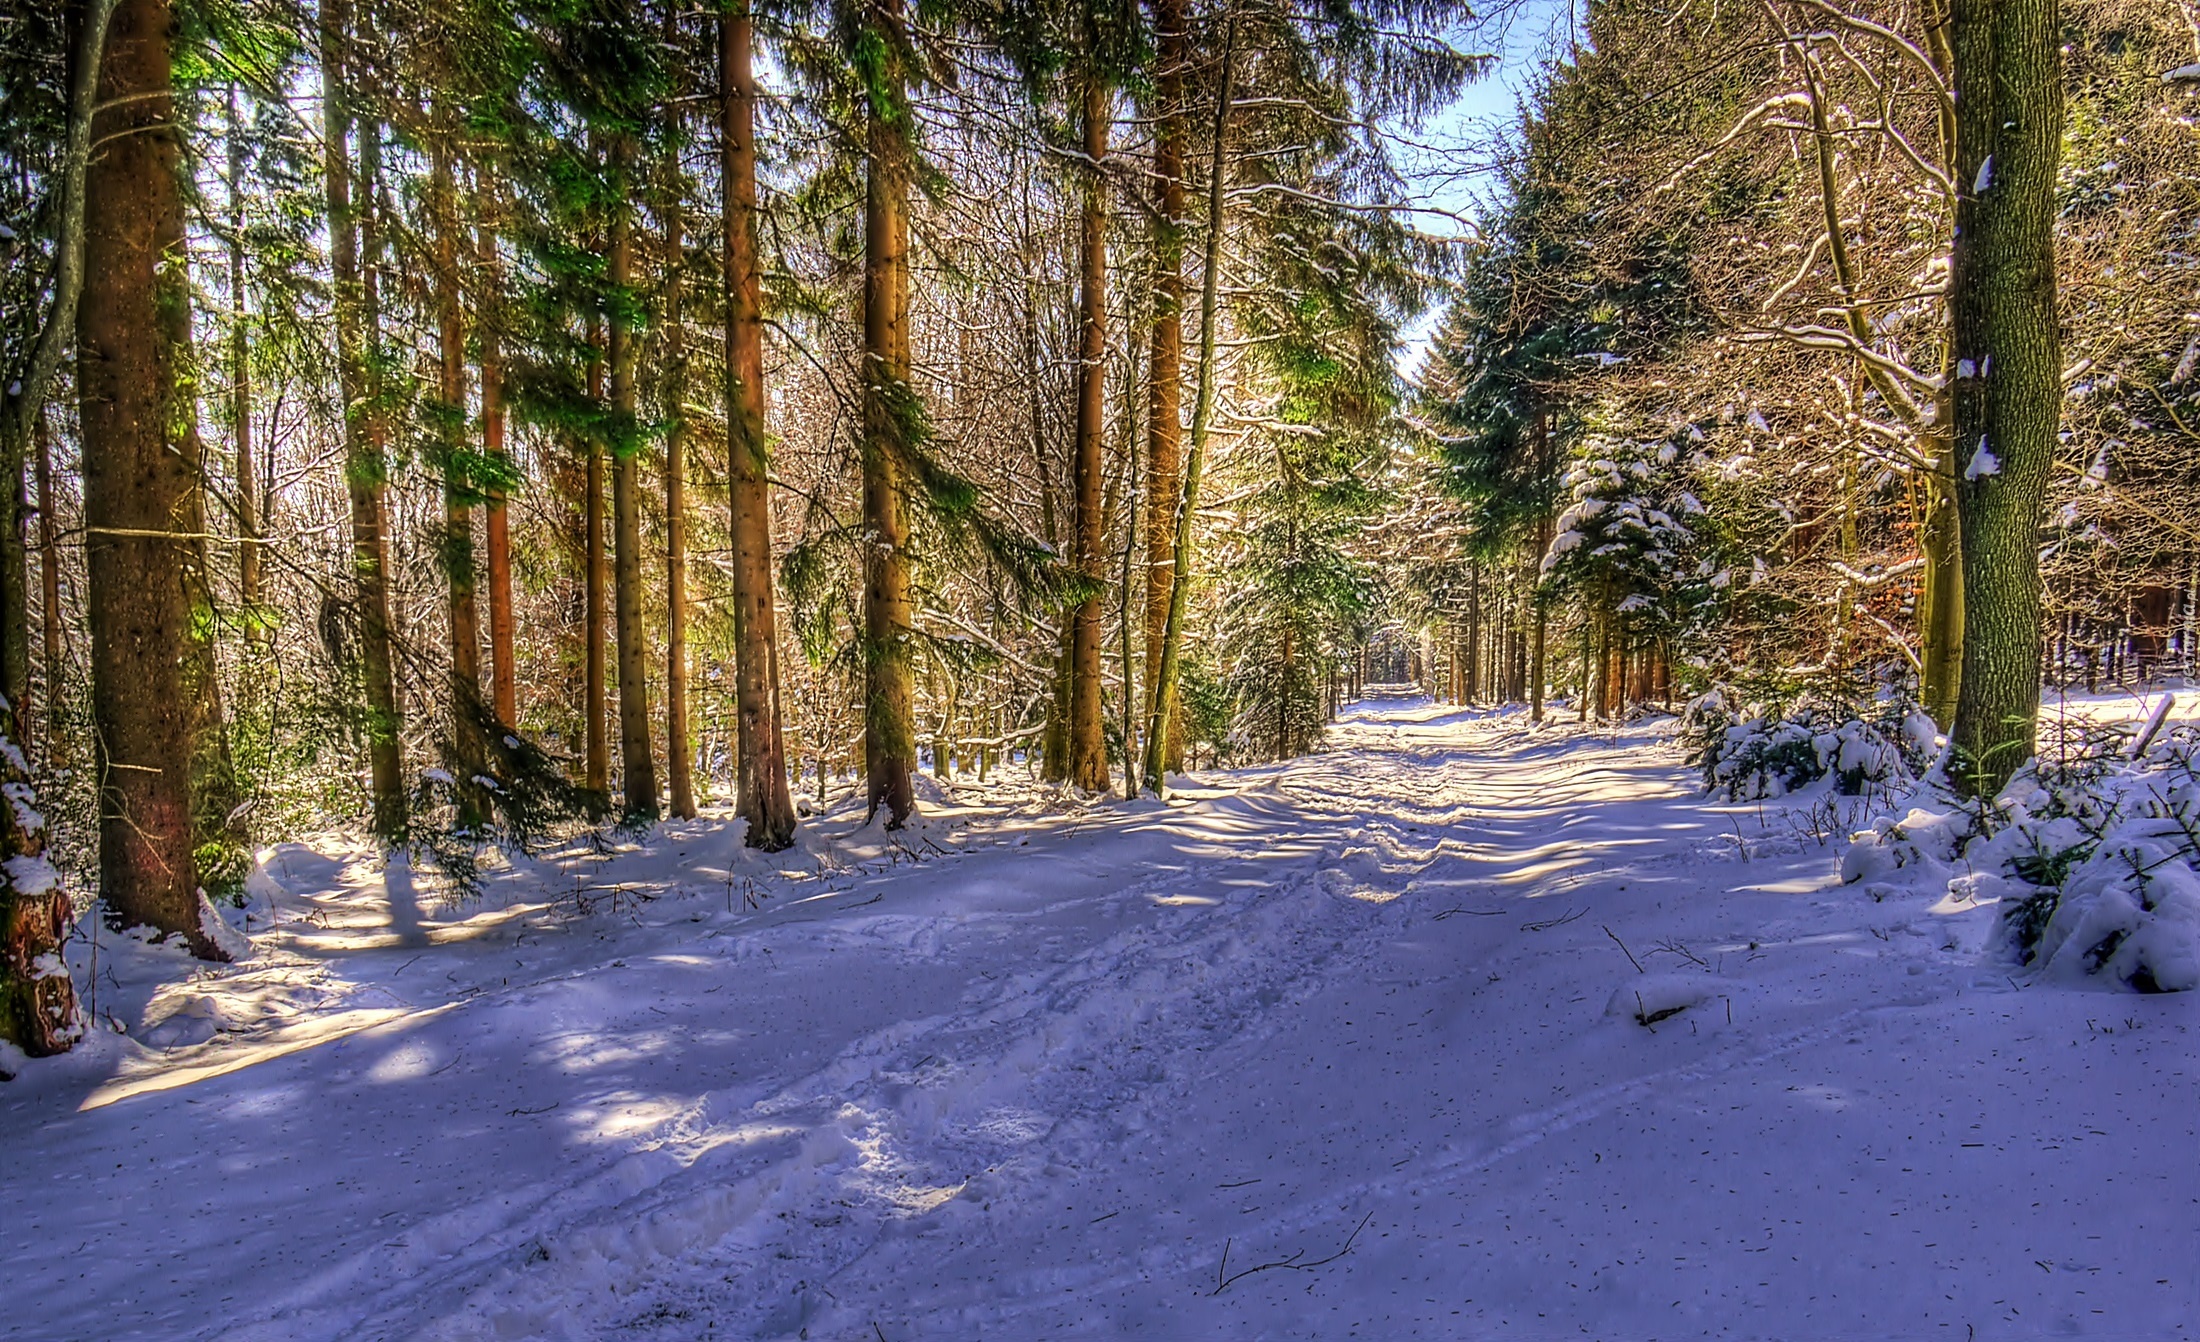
(1770, 751)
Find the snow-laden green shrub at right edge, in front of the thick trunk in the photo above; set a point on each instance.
(2093, 861)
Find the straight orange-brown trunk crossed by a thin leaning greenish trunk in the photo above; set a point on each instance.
(1165, 366)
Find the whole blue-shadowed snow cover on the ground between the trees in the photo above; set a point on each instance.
(1345, 1048)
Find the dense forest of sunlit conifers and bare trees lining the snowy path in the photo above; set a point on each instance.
(498, 421)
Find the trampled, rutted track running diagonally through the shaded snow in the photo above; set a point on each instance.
(1039, 1064)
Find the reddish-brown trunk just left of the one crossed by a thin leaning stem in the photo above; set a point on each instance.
(1088, 738)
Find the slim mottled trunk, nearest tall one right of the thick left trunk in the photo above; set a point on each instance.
(364, 461)
